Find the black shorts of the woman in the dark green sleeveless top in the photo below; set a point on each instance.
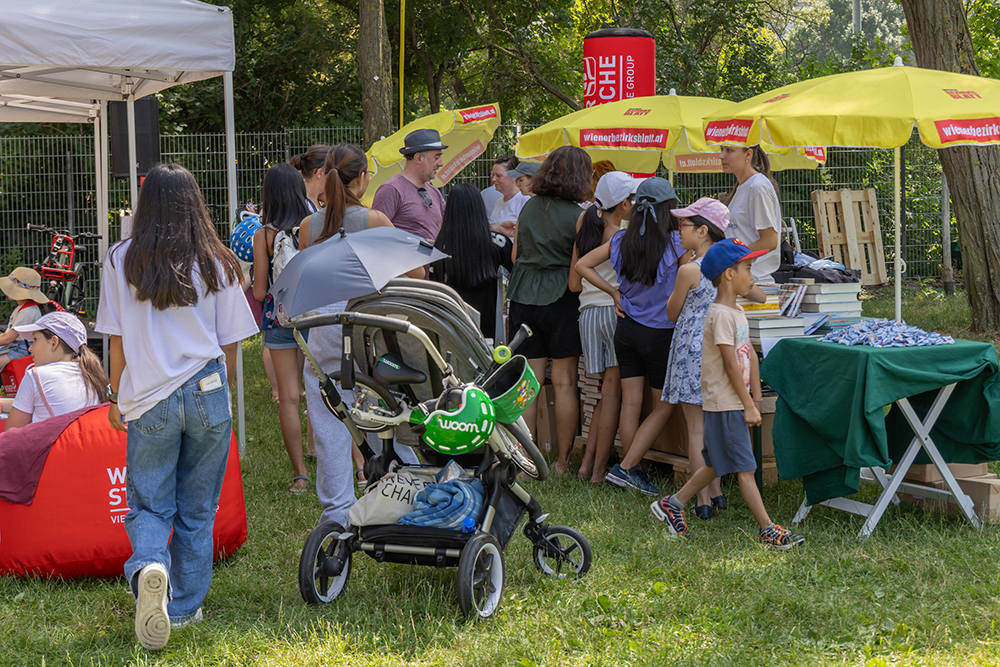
(555, 327)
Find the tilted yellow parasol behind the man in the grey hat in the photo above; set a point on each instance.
(464, 131)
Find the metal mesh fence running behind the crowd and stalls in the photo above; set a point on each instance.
(50, 181)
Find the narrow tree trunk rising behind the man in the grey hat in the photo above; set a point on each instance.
(374, 57)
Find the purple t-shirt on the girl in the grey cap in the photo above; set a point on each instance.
(647, 304)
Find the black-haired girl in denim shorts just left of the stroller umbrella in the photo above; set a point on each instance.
(283, 206)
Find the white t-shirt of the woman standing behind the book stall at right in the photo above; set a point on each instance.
(755, 206)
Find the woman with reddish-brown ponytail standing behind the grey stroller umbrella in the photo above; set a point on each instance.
(339, 462)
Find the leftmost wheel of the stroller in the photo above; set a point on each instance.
(325, 564)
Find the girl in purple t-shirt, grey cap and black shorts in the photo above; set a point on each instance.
(646, 257)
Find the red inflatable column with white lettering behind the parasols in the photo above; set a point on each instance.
(620, 64)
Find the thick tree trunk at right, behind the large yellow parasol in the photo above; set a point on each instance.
(941, 40)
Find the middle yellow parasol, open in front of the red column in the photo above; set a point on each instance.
(639, 133)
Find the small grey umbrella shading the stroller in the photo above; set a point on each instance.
(348, 266)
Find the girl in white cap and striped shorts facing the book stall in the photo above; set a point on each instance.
(596, 226)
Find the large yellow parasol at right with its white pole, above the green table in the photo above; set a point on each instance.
(876, 108)
